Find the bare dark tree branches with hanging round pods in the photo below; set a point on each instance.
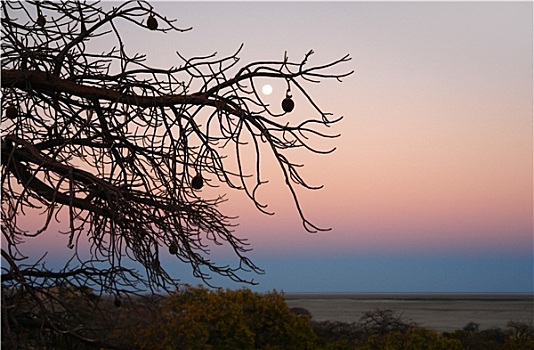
(124, 152)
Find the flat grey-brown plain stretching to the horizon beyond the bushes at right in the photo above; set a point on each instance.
(440, 312)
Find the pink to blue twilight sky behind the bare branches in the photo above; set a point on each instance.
(430, 188)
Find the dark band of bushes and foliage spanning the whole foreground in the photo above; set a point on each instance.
(200, 318)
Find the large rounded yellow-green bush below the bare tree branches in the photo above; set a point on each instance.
(198, 318)
